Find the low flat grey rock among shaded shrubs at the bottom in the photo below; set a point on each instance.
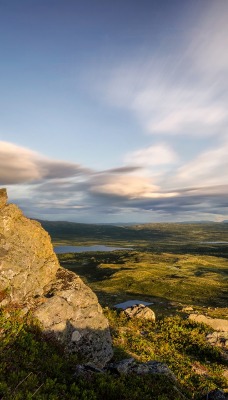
(131, 366)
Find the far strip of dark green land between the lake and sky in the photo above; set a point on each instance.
(169, 237)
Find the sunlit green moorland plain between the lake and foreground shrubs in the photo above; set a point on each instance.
(169, 281)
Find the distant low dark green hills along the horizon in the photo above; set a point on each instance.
(139, 234)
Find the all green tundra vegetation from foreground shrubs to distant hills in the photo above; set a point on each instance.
(173, 266)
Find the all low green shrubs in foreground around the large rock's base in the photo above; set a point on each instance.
(35, 367)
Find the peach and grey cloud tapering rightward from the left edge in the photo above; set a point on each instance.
(22, 165)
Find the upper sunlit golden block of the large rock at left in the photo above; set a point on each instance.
(27, 260)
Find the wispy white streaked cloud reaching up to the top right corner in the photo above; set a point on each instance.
(180, 93)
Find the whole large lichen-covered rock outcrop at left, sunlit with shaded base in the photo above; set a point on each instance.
(31, 276)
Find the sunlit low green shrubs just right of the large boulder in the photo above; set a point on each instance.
(179, 343)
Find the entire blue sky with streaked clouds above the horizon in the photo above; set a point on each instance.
(115, 111)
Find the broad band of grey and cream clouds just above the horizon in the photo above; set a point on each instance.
(59, 190)
